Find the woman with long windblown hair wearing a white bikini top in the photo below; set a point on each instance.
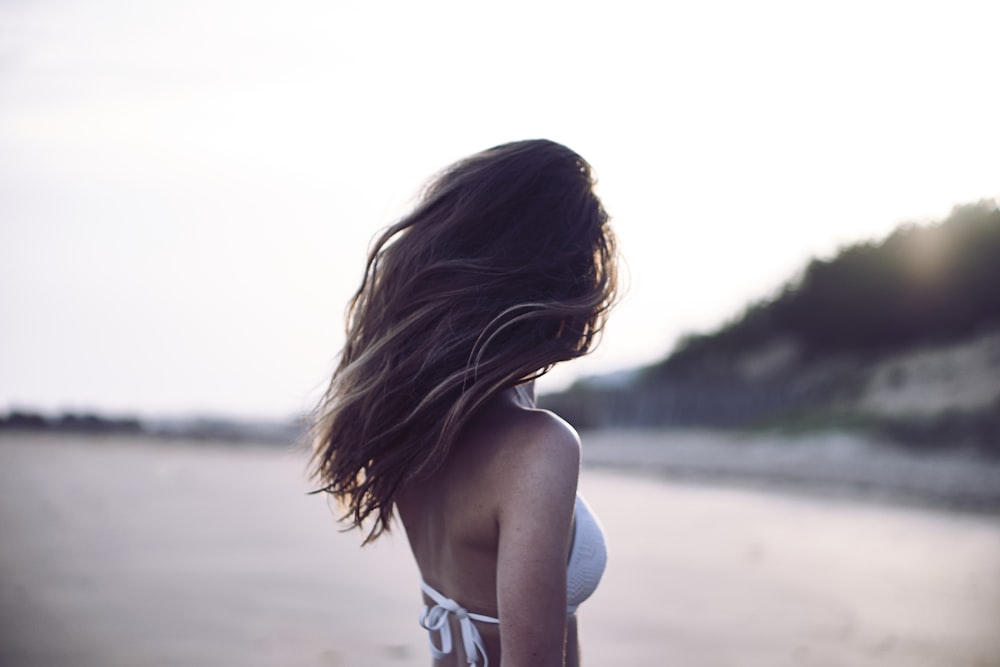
(505, 268)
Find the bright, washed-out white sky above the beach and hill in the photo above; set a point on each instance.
(187, 188)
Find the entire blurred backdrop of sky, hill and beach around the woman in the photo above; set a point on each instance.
(806, 361)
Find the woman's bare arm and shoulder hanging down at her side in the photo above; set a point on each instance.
(535, 517)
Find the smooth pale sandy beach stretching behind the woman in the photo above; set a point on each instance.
(136, 552)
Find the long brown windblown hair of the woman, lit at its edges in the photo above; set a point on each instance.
(506, 267)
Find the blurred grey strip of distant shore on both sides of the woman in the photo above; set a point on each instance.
(830, 465)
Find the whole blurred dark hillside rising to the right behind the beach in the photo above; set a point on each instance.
(900, 336)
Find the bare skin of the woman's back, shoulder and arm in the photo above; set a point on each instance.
(500, 510)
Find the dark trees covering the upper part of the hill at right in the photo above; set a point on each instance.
(923, 284)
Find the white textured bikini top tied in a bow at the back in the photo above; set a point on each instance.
(587, 559)
